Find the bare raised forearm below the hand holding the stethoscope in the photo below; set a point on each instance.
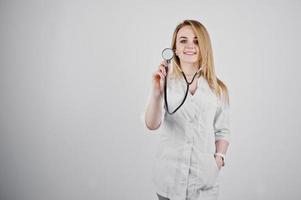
(153, 113)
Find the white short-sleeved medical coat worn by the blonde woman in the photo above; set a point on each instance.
(184, 166)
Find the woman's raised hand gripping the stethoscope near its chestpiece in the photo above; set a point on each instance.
(158, 79)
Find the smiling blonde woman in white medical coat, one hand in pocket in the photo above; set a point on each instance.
(194, 140)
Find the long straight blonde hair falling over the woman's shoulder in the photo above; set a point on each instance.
(205, 60)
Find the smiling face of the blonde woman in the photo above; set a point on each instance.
(187, 48)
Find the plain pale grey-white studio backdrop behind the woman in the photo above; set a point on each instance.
(75, 77)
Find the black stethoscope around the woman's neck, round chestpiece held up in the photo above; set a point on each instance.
(168, 54)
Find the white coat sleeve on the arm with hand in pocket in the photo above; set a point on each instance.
(222, 121)
